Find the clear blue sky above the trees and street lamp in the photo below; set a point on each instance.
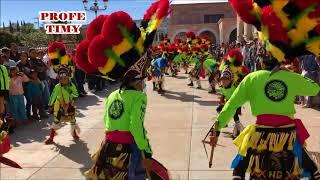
(28, 9)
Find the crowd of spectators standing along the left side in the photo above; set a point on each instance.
(30, 82)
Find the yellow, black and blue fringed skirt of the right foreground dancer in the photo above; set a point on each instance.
(268, 153)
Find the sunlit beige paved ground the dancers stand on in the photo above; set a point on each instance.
(176, 121)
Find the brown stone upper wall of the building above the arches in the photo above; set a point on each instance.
(190, 17)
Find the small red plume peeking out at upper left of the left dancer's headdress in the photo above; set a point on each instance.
(94, 28)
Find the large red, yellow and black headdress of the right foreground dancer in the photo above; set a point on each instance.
(289, 28)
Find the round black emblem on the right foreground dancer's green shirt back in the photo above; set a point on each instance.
(276, 90)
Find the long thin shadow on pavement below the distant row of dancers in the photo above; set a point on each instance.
(184, 97)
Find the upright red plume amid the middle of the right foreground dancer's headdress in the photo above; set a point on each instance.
(274, 24)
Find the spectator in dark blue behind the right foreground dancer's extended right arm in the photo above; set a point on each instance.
(310, 69)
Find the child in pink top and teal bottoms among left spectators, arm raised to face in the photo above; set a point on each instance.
(16, 103)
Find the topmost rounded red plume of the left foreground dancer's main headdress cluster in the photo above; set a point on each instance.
(111, 25)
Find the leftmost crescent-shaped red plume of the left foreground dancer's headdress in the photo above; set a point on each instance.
(81, 57)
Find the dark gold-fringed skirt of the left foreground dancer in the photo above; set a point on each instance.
(115, 161)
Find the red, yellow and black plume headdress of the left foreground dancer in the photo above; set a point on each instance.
(114, 43)
